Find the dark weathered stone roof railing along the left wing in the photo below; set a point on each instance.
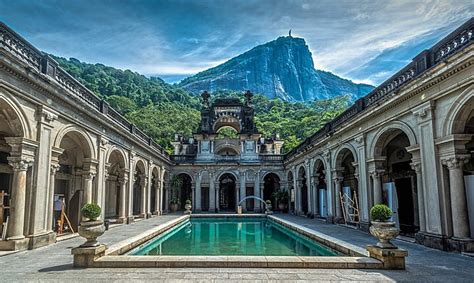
(36, 60)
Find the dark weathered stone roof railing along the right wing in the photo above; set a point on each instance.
(451, 44)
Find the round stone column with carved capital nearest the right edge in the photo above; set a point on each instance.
(458, 196)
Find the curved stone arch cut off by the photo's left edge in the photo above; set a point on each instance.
(9, 104)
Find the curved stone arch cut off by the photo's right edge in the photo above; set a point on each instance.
(459, 112)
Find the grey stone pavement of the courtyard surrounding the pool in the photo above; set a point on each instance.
(54, 263)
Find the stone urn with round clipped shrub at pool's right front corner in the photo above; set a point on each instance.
(381, 227)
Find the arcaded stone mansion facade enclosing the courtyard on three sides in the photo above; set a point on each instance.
(409, 143)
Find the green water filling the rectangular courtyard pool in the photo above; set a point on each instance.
(232, 236)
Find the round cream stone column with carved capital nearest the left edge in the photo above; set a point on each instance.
(16, 221)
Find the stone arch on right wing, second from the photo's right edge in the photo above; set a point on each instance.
(387, 133)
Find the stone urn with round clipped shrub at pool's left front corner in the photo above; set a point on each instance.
(92, 227)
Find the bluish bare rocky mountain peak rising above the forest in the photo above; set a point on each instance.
(282, 68)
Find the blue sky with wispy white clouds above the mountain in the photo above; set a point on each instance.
(365, 41)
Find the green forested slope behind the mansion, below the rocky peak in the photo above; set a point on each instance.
(162, 110)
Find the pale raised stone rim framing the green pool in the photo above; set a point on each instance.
(115, 258)
